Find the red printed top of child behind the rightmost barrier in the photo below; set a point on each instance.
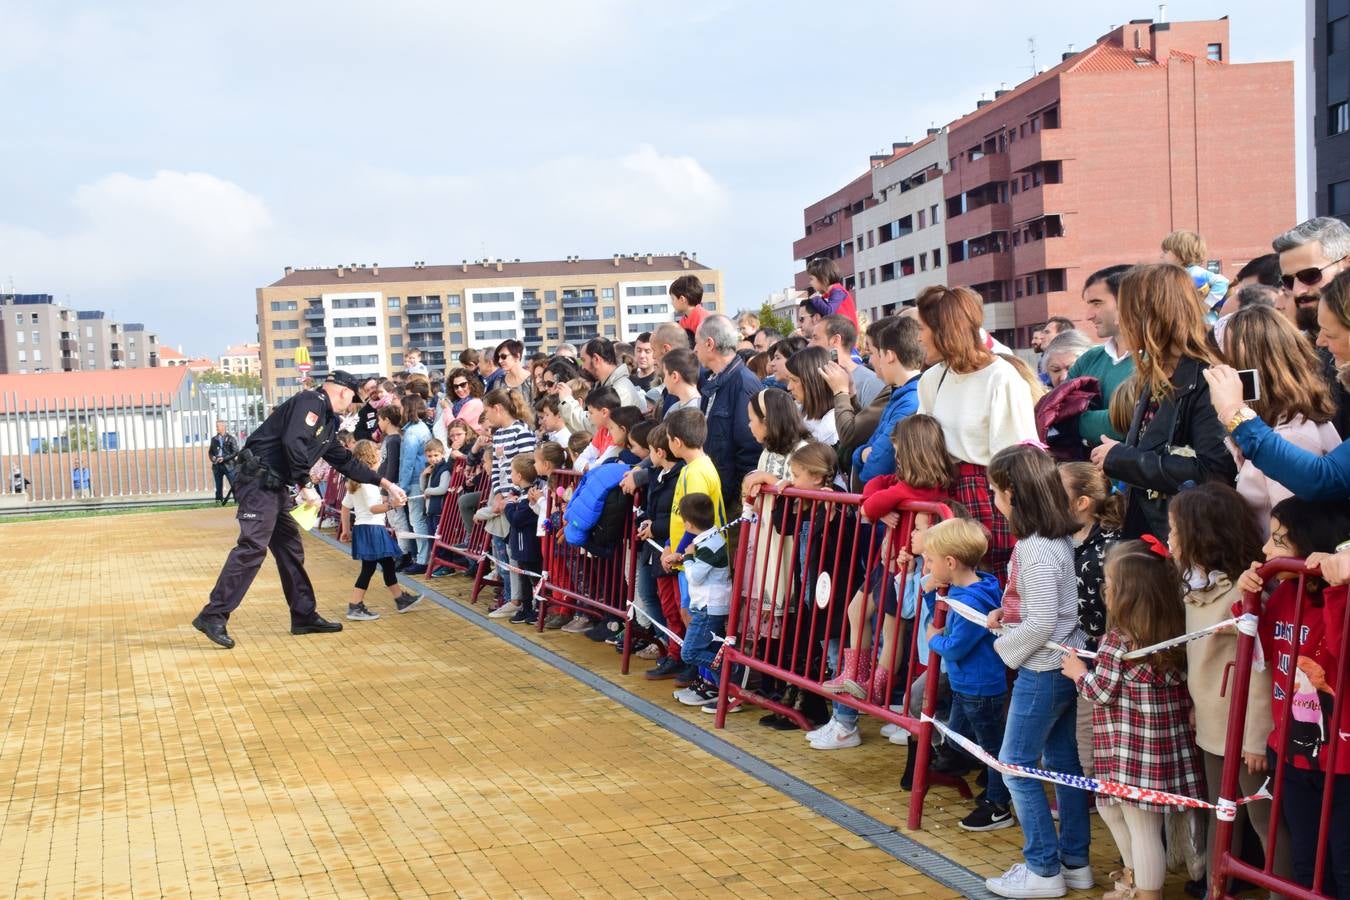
(1310, 733)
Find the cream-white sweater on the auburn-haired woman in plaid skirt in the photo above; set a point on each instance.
(982, 412)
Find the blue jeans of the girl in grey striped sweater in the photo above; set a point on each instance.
(1042, 729)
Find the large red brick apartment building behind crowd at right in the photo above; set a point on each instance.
(1094, 161)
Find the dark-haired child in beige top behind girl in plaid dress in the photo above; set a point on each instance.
(1210, 562)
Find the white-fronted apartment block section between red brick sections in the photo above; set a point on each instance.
(900, 245)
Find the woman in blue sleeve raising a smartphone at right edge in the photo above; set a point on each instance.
(1306, 473)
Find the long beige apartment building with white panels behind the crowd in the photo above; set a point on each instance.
(365, 318)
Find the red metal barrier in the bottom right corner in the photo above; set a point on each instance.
(1286, 671)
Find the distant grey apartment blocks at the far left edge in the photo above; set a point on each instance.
(40, 335)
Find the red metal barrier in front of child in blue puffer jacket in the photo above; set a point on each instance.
(584, 582)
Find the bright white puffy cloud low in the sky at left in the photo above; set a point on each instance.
(128, 230)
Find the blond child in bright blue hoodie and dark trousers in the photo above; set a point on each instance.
(952, 551)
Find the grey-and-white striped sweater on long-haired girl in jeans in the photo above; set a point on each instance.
(1042, 604)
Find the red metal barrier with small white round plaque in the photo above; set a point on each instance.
(785, 612)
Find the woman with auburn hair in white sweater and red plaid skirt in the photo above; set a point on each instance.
(979, 400)
